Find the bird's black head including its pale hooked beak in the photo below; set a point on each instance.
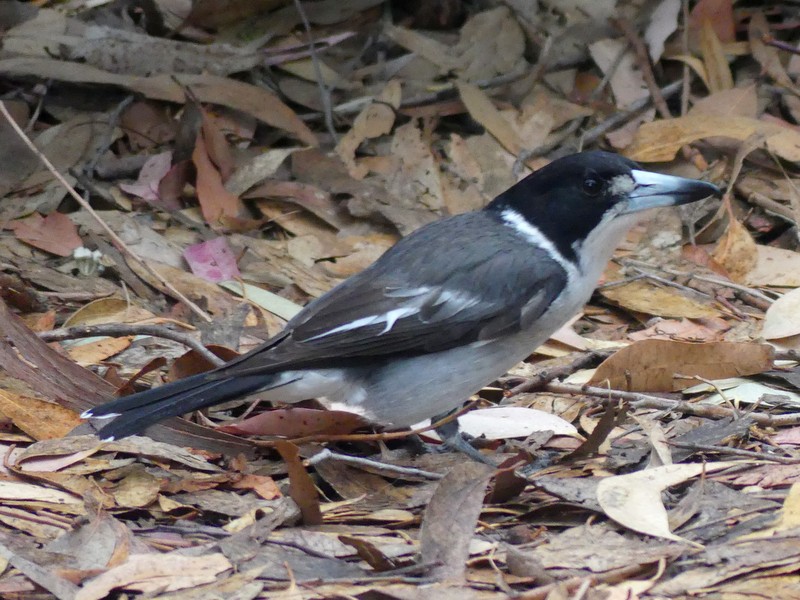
(584, 194)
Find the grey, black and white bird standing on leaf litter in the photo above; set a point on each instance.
(445, 311)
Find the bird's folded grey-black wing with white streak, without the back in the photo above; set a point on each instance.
(380, 312)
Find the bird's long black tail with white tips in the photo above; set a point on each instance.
(137, 412)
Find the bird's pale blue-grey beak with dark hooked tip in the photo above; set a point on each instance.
(654, 190)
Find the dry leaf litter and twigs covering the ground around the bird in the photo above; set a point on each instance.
(252, 155)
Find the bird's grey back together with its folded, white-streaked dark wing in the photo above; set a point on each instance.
(484, 299)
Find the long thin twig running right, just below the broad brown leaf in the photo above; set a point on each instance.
(638, 400)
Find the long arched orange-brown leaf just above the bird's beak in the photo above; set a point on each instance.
(660, 140)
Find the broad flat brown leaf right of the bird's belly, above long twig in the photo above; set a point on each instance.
(669, 366)
